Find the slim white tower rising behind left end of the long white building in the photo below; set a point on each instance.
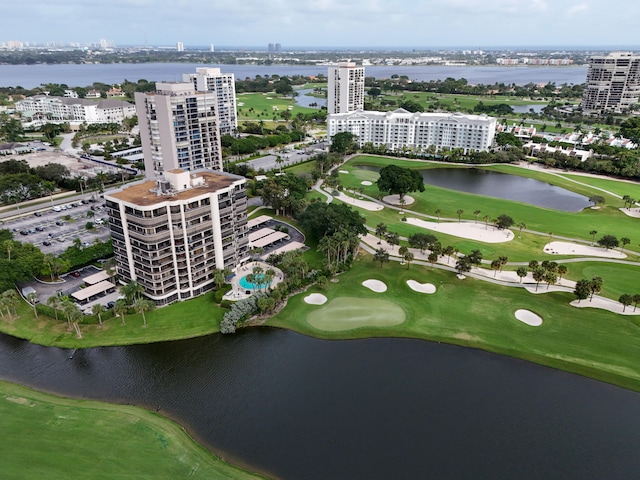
(346, 88)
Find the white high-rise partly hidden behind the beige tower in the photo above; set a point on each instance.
(223, 84)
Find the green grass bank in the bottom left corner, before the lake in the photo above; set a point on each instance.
(46, 436)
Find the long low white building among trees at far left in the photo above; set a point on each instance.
(67, 109)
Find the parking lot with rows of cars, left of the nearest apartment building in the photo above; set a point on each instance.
(54, 231)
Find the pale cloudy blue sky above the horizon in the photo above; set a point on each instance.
(325, 23)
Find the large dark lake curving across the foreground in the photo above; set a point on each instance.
(298, 407)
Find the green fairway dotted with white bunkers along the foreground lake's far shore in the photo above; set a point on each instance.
(474, 313)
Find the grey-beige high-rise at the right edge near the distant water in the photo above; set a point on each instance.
(613, 83)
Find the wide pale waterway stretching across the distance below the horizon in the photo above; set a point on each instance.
(30, 76)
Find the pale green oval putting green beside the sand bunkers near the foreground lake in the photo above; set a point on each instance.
(347, 313)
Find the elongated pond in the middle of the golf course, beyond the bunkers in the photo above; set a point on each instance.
(503, 185)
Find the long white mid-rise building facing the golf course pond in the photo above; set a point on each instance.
(399, 129)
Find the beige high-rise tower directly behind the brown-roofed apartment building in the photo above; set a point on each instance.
(179, 129)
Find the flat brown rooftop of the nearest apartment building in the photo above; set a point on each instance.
(145, 193)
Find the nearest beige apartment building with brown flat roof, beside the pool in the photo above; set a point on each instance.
(171, 233)
